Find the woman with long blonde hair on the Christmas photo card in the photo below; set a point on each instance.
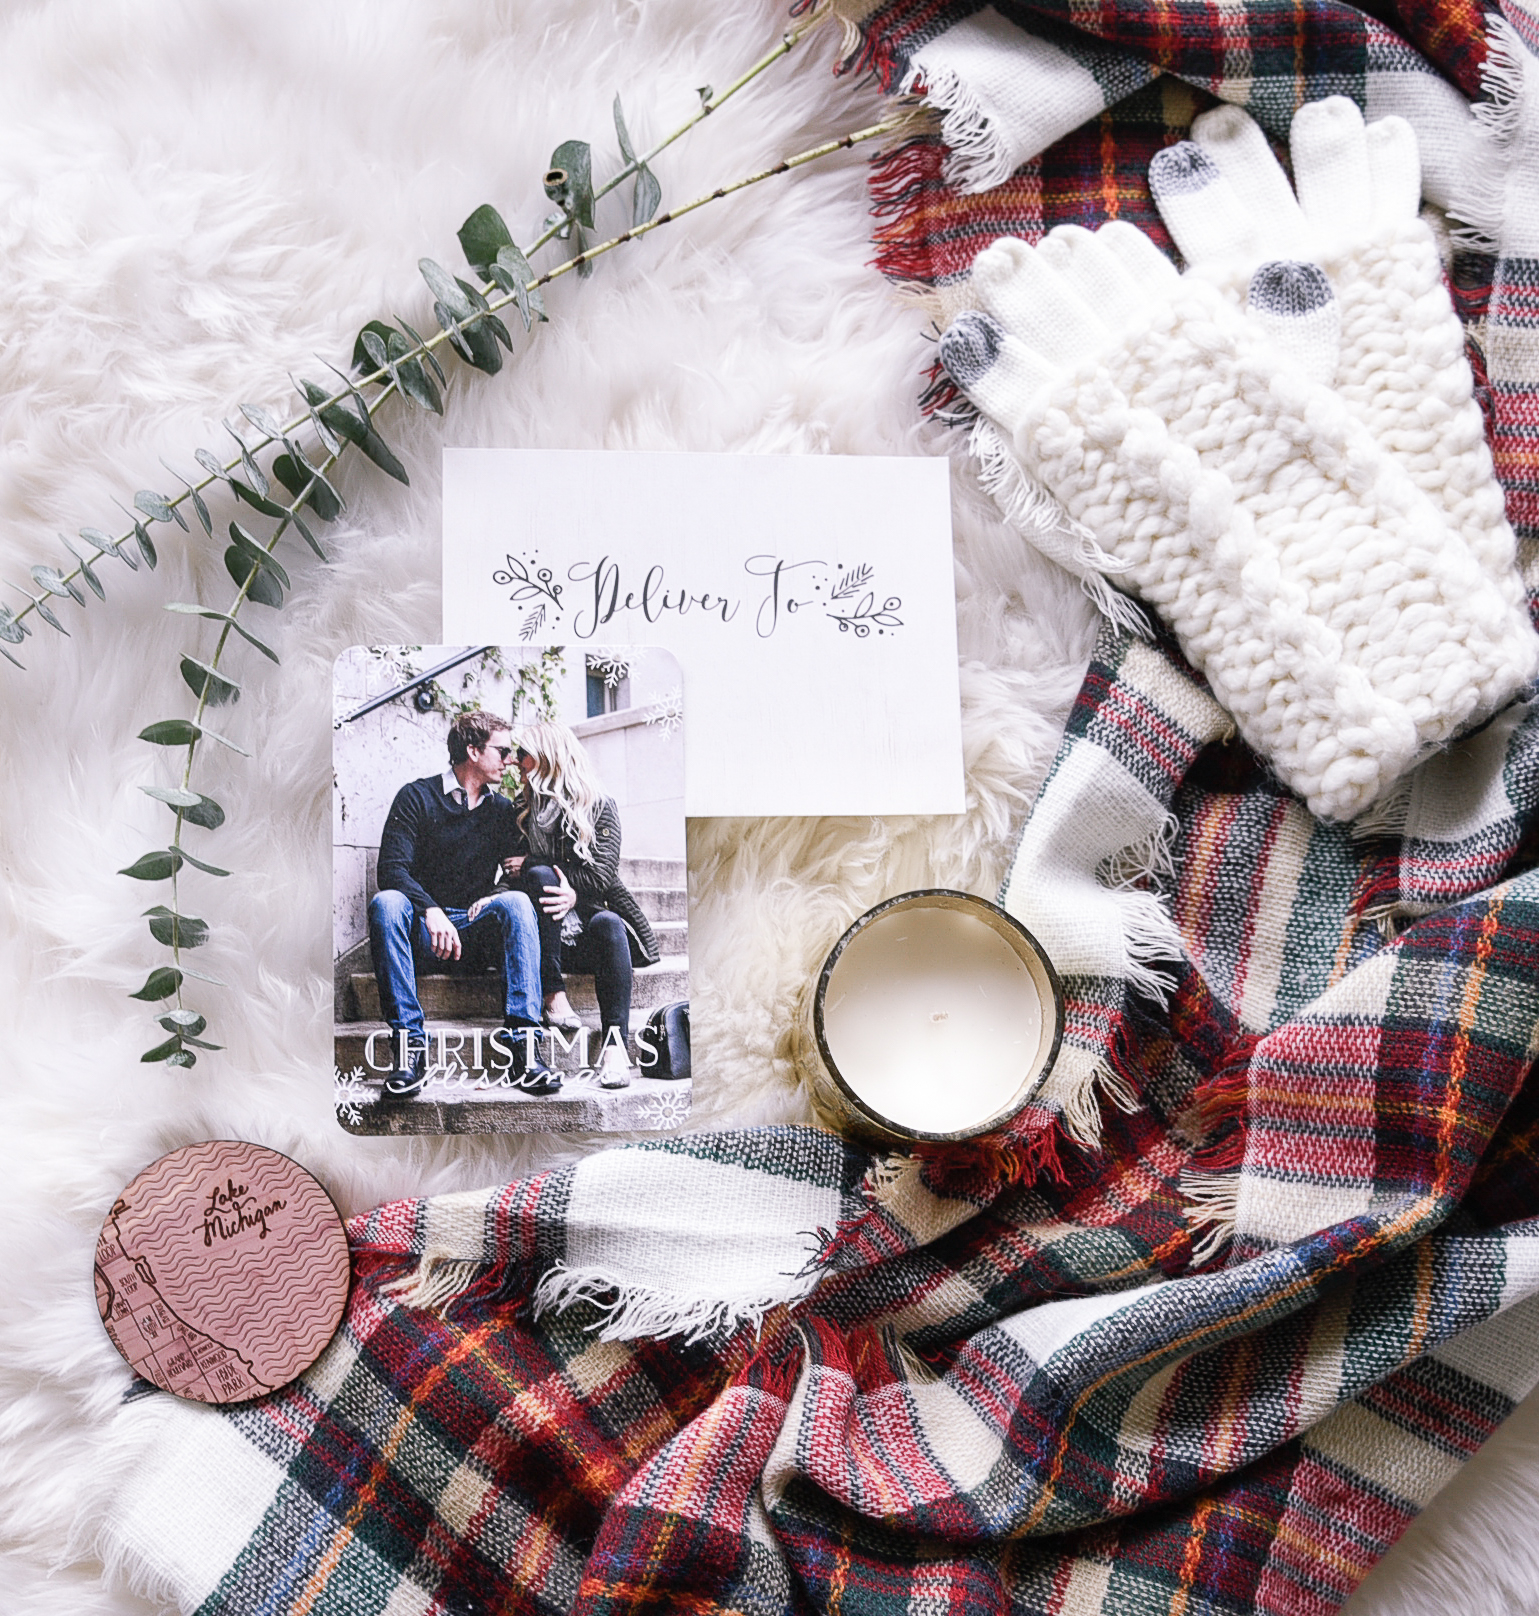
(570, 867)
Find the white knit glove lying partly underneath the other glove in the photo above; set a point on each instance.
(1391, 342)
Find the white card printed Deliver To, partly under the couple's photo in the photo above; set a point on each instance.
(811, 602)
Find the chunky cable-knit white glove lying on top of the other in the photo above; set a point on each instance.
(1296, 560)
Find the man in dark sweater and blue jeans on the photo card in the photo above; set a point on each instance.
(441, 851)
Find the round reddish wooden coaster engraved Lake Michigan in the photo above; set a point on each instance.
(222, 1271)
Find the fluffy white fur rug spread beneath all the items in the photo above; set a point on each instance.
(198, 196)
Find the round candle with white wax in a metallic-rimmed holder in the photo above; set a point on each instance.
(937, 1017)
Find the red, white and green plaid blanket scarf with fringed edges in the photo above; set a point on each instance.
(1218, 1316)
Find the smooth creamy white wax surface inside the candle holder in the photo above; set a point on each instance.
(934, 1021)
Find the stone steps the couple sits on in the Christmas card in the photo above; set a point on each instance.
(465, 1011)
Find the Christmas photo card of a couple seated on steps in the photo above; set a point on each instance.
(507, 928)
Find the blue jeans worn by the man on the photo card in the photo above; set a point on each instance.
(505, 935)
